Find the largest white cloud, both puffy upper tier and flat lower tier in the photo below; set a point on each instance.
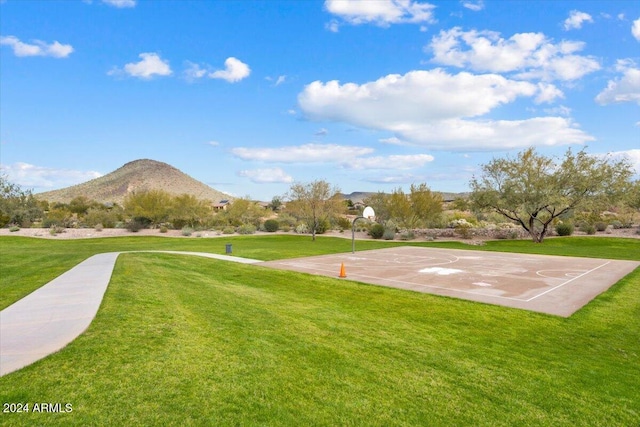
(441, 111)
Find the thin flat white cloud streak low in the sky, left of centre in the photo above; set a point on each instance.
(307, 153)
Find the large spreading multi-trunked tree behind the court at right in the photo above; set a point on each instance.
(534, 190)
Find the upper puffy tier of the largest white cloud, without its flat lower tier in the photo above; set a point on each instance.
(396, 101)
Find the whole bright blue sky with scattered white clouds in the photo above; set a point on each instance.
(370, 95)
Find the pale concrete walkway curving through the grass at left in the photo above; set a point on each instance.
(49, 318)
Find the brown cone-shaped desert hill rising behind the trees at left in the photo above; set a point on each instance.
(139, 175)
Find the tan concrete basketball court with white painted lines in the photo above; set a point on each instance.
(547, 284)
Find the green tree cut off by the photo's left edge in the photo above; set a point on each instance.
(17, 206)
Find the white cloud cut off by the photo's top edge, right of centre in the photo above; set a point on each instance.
(379, 12)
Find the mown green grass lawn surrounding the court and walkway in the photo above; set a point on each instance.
(187, 341)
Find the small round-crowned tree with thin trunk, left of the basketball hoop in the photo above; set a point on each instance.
(315, 203)
